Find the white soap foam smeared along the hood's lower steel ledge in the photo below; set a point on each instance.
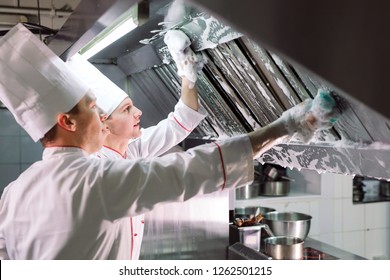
(344, 157)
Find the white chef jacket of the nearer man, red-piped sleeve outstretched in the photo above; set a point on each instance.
(71, 206)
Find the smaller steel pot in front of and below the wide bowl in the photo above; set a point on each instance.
(284, 247)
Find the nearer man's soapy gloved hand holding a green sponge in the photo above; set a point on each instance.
(310, 116)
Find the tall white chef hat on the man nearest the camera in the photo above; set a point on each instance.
(35, 84)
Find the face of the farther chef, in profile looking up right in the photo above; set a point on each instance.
(124, 121)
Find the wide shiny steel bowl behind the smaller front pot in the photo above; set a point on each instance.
(292, 224)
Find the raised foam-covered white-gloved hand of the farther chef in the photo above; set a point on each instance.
(188, 63)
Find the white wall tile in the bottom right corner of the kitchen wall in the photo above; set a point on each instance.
(374, 243)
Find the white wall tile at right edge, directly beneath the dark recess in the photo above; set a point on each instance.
(377, 215)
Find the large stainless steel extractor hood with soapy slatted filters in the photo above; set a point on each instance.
(264, 58)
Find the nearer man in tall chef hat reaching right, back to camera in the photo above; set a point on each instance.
(70, 205)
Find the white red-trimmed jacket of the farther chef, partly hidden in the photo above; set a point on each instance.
(155, 141)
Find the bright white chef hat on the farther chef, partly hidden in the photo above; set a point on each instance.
(108, 95)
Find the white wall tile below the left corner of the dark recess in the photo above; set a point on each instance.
(353, 216)
